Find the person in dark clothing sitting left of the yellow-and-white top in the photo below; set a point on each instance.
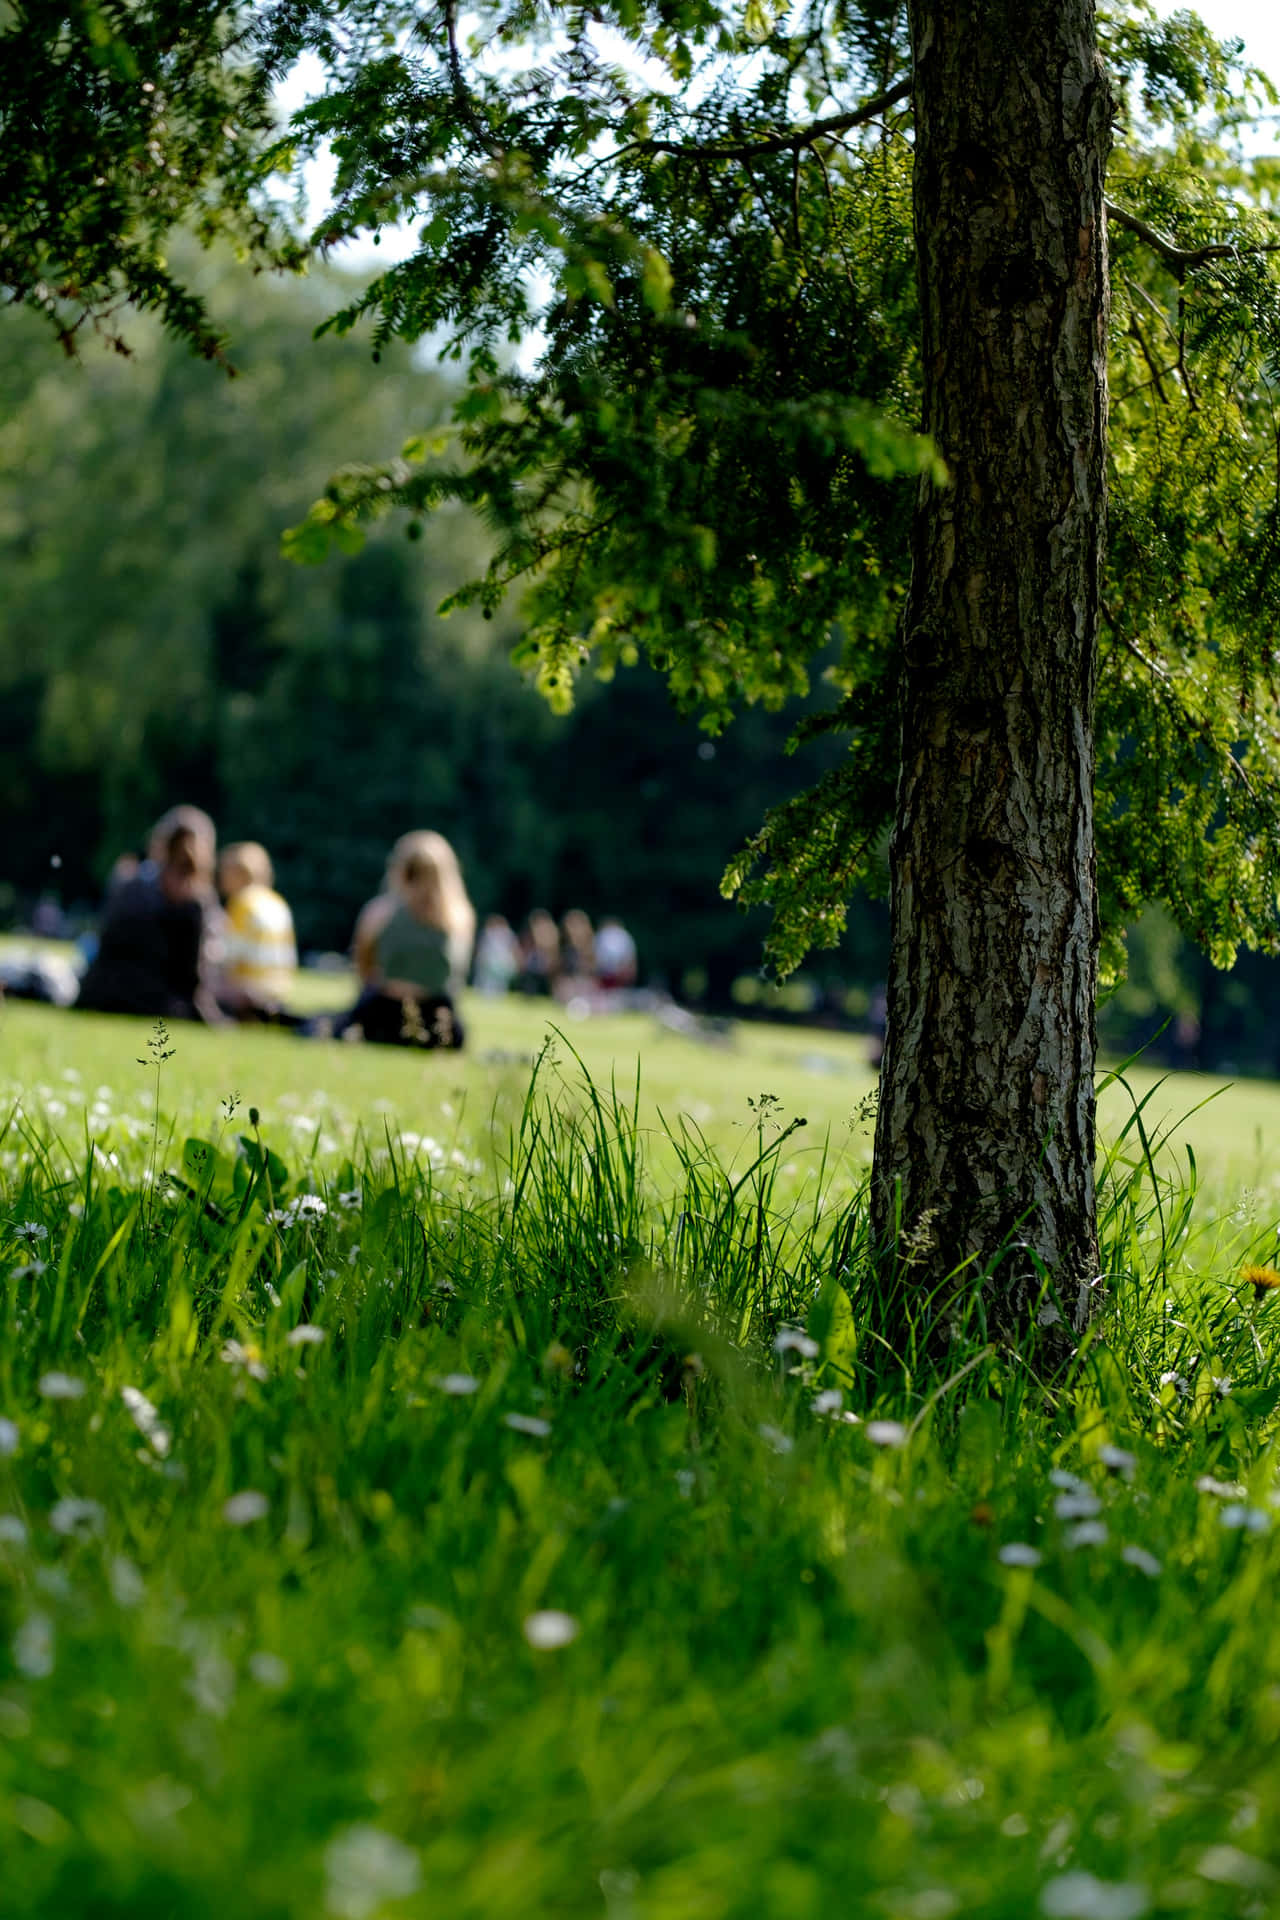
(162, 930)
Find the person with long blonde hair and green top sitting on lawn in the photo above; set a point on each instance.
(414, 948)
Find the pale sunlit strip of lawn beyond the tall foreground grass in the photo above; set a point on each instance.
(817, 1074)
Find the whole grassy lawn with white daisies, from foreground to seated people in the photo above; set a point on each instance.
(536, 1399)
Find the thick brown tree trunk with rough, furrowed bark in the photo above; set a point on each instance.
(985, 1134)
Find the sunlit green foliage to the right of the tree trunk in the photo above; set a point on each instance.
(1189, 790)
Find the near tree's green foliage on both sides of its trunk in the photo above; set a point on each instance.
(703, 477)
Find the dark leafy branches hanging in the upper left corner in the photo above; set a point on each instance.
(120, 124)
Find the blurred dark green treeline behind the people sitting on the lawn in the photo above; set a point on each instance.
(154, 646)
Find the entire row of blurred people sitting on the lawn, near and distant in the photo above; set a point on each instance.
(170, 949)
